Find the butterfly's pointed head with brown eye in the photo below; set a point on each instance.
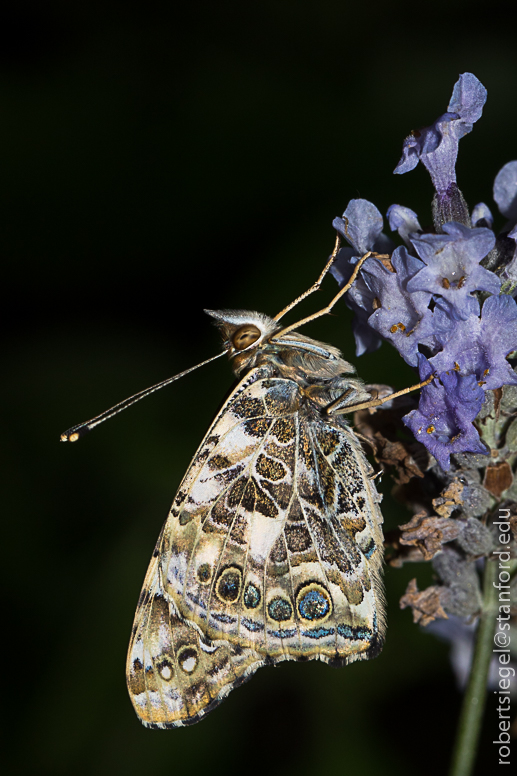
(243, 332)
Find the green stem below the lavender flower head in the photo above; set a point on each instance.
(471, 717)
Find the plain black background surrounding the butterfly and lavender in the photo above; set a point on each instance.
(156, 160)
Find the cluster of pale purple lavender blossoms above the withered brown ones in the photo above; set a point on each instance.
(445, 298)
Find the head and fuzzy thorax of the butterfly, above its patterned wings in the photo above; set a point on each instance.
(319, 369)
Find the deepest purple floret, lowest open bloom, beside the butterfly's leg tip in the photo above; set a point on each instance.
(443, 420)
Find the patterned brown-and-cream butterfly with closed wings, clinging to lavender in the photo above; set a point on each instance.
(273, 546)
